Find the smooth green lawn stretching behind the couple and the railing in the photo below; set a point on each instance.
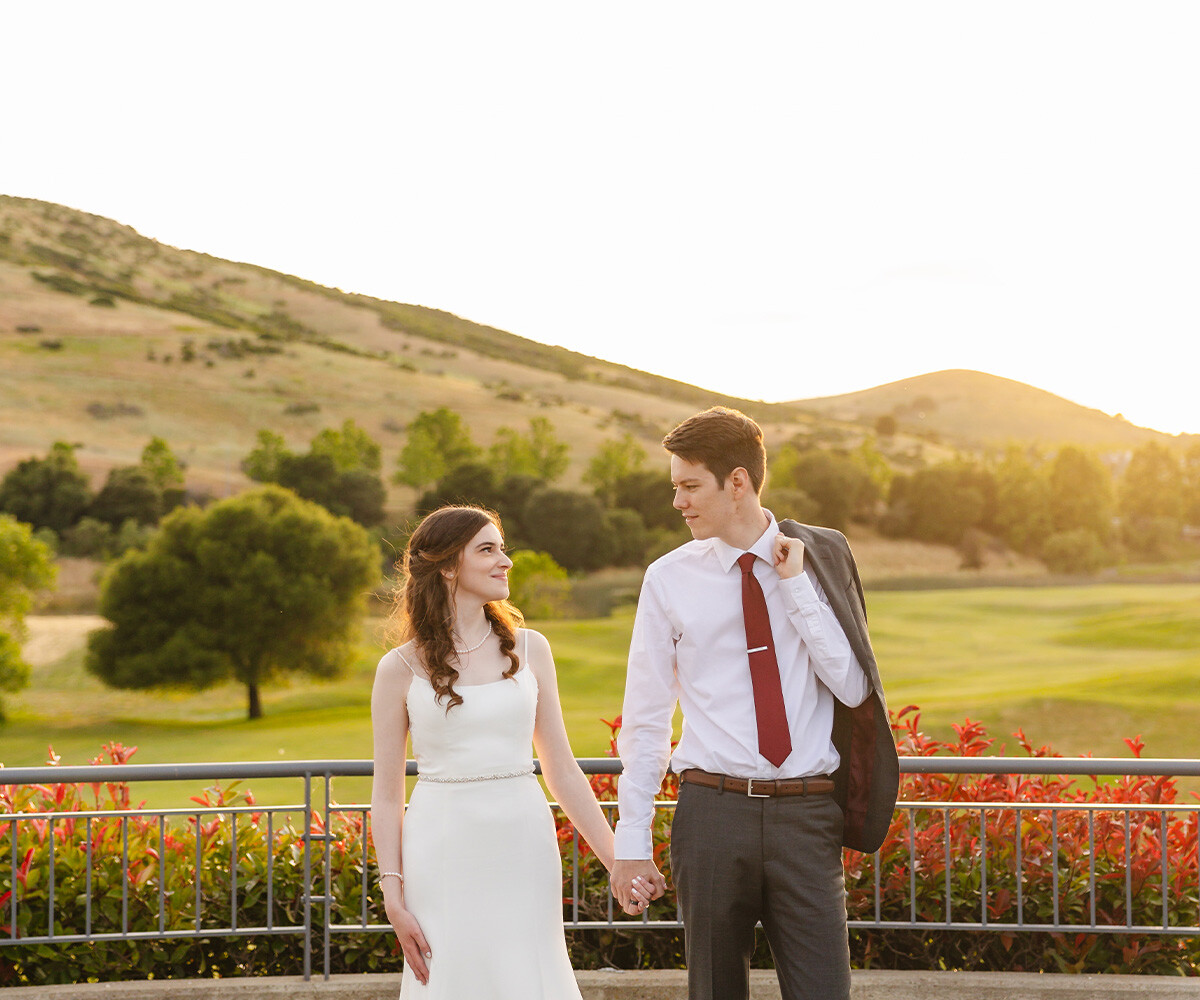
(1077, 668)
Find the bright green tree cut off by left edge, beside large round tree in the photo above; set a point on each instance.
(26, 566)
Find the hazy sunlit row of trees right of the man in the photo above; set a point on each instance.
(1076, 510)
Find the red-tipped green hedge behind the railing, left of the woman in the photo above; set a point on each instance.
(175, 866)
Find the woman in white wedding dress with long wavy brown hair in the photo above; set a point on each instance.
(471, 873)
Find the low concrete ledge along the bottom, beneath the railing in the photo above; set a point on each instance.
(658, 985)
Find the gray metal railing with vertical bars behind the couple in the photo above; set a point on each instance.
(1148, 843)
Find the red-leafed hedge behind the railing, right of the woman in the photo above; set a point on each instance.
(931, 853)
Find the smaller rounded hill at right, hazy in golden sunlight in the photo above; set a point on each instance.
(976, 410)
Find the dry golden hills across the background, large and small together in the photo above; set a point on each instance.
(109, 338)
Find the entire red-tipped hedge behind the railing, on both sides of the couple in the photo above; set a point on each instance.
(1001, 863)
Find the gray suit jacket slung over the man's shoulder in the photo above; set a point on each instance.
(868, 780)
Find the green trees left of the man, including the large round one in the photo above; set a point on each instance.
(273, 580)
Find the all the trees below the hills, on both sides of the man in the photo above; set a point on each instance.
(273, 580)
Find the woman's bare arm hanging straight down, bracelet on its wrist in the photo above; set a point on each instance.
(389, 724)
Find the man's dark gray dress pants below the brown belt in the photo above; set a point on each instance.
(737, 861)
